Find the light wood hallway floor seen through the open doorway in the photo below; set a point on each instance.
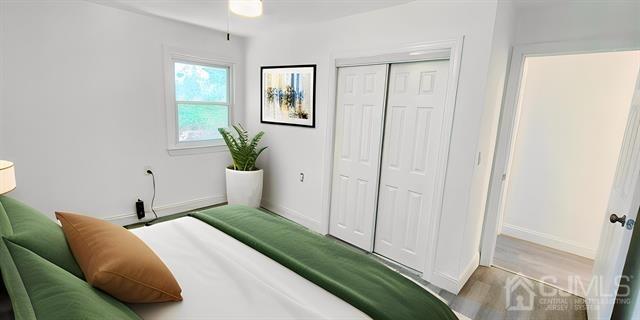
(537, 262)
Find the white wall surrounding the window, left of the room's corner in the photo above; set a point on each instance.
(83, 108)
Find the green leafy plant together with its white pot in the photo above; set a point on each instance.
(244, 180)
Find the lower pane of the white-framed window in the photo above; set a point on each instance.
(201, 122)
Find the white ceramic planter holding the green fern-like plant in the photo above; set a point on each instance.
(244, 187)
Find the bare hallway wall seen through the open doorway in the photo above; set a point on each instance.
(574, 111)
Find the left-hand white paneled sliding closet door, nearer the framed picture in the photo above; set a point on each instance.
(358, 136)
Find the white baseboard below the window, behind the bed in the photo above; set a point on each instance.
(169, 209)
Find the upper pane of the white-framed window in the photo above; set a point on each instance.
(200, 83)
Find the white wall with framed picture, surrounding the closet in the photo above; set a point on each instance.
(292, 150)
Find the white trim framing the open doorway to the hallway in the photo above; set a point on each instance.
(508, 125)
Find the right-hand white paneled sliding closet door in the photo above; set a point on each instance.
(414, 121)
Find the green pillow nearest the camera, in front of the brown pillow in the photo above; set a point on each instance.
(56, 294)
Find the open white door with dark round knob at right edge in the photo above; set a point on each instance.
(624, 201)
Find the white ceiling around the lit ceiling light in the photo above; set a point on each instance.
(277, 13)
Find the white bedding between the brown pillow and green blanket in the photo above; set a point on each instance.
(221, 278)
